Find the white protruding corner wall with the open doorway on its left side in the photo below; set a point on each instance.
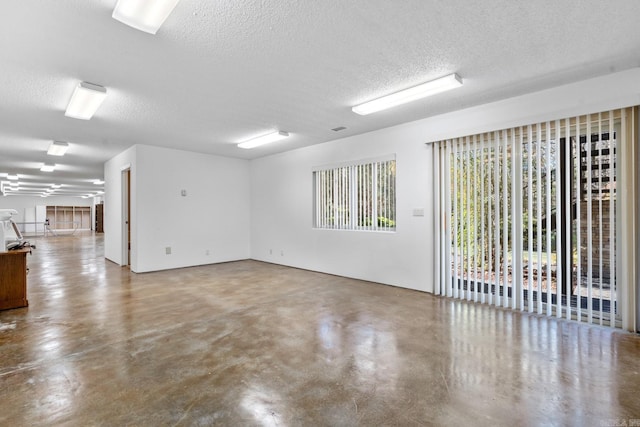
(208, 225)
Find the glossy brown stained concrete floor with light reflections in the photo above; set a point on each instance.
(248, 343)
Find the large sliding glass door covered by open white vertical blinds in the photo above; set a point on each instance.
(533, 217)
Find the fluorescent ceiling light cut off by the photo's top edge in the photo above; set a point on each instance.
(144, 15)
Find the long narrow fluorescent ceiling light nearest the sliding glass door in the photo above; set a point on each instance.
(449, 82)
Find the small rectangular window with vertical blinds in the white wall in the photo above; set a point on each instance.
(359, 196)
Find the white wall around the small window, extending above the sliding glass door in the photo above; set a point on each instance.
(281, 185)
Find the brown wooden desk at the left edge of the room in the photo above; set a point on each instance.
(13, 279)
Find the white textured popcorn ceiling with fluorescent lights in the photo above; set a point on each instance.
(220, 72)
